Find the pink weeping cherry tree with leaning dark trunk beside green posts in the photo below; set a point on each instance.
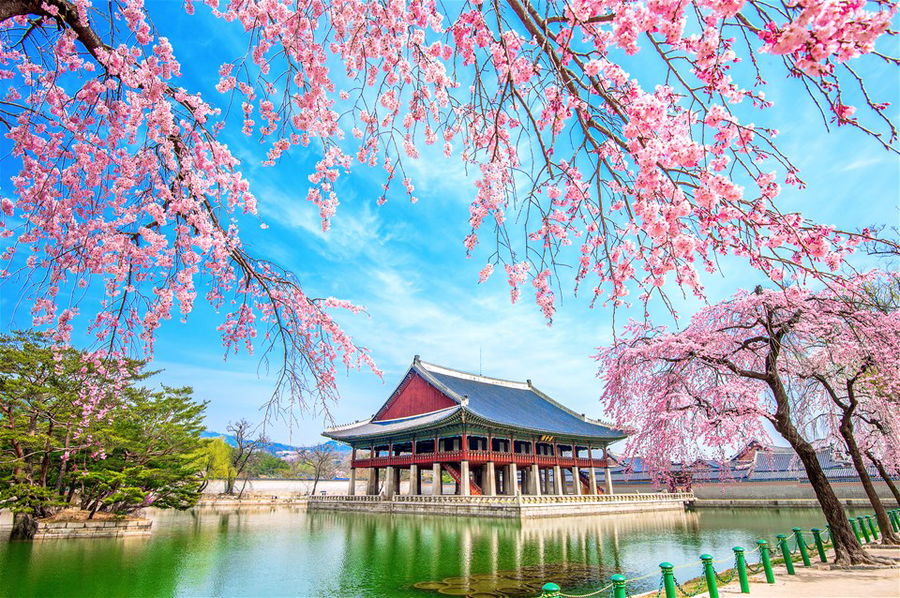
(744, 361)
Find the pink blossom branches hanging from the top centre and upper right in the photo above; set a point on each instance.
(644, 185)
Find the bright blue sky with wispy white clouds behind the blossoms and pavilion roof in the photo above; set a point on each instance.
(406, 263)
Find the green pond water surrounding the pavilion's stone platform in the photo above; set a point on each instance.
(285, 552)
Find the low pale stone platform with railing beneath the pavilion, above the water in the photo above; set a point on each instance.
(519, 507)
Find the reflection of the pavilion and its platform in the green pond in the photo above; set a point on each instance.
(450, 547)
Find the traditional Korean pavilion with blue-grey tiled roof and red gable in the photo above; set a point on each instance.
(493, 437)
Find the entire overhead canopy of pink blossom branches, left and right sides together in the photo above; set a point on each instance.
(125, 184)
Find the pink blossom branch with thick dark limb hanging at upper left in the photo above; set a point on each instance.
(123, 182)
